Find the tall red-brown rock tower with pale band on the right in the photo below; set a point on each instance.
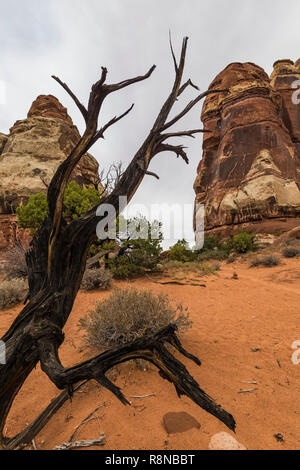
(249, 175)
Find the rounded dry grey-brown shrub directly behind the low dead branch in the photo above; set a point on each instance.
(127, 315)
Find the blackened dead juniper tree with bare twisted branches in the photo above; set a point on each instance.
(56, 263)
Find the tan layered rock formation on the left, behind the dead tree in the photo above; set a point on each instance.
(30, 155)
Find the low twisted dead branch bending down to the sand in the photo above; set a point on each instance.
(150, 348)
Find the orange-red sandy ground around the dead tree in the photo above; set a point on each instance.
(232, 318)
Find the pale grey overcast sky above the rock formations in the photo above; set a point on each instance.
(74, 38)
